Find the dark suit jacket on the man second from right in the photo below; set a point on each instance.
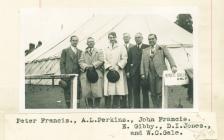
(134, 60)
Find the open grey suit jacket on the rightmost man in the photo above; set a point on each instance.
(158, 60)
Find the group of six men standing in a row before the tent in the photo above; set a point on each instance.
(140, 67)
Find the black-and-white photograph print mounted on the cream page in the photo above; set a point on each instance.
(108, 59)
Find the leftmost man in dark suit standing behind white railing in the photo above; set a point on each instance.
(69, 64)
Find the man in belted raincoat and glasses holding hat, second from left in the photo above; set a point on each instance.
(91, 77)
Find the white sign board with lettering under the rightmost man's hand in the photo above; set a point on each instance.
(178, 78)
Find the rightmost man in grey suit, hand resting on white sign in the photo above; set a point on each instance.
(152, 67)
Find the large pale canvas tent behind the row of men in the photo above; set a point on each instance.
(46, 59)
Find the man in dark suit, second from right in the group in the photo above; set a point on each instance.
(134, 61)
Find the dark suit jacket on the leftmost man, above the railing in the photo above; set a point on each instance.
(69, 61)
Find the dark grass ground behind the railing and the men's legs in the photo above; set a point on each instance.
(52, 97)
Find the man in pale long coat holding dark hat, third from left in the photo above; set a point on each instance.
(115, 81)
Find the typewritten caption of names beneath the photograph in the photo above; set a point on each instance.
(138, 126)
